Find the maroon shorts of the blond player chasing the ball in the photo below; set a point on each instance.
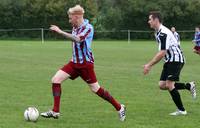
(85, 71)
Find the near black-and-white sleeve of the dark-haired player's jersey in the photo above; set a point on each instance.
(163, 39)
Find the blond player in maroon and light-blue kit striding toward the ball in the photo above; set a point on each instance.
(81, 64)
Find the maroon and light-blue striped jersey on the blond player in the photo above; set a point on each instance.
(82, 50)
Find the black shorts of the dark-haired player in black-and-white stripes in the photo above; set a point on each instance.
(171, 71)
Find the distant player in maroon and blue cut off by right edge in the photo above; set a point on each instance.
(196, 41)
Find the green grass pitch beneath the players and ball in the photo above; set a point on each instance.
(26, 68)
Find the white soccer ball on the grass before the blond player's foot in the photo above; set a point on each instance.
(31, 114)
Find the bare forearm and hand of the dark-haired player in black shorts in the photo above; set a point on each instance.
(153, 61)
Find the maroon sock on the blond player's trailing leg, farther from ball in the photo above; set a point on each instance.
(106, 96)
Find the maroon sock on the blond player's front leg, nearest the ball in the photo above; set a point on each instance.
(56, 90)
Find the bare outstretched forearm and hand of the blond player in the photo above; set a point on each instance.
(65, 34)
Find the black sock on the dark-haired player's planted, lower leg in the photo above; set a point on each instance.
(177, 99)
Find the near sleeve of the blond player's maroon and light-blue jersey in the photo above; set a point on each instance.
(88, 31)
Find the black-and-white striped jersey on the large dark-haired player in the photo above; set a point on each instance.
(167, 41)
